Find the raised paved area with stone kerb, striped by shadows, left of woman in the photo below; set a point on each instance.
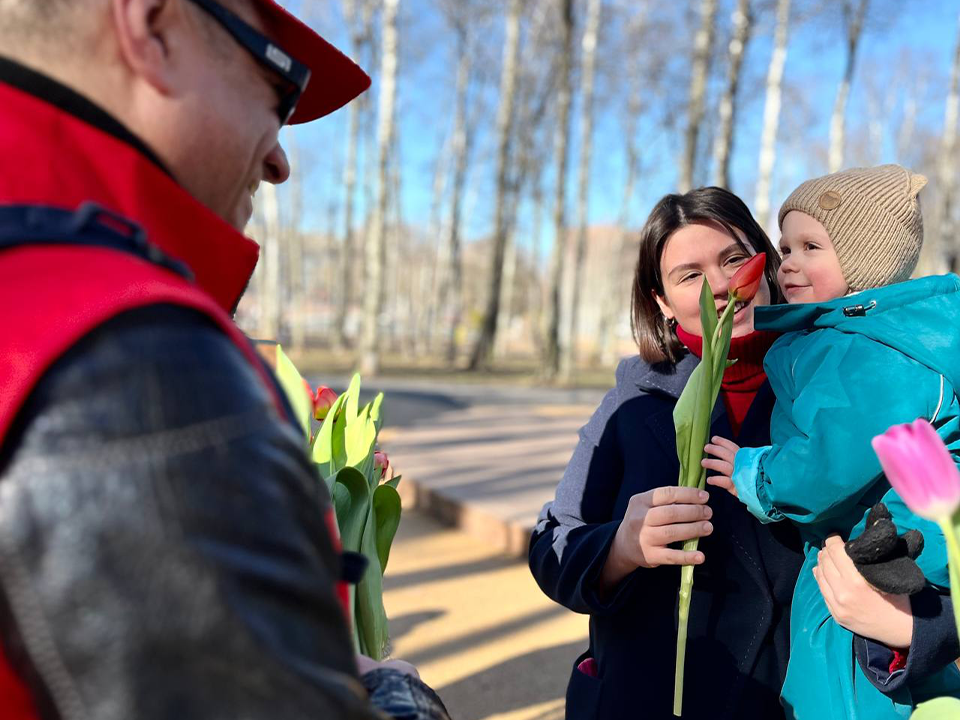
(487, 468)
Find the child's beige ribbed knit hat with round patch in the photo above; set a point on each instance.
(872, 215)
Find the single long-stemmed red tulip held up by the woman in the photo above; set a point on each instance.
(691, 418)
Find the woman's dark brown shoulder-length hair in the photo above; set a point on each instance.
(655, 336)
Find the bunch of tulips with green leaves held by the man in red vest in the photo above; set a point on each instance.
(366, 502)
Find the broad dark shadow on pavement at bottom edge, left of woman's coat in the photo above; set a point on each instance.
(516, 683)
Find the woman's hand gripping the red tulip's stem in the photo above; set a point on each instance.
(654, 520)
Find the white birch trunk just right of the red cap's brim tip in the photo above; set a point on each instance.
(376, 243)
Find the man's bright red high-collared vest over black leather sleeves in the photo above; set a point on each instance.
(52, 296)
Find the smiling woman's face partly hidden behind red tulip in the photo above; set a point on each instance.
(696, 252)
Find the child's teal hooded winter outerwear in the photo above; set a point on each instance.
(843, 372)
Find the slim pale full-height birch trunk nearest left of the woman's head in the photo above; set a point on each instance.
(589, 48)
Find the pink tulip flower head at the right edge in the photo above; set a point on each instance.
(920, 468)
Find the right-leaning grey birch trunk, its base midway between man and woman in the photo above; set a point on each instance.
(483, 349)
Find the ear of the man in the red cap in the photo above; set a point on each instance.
(149, 33)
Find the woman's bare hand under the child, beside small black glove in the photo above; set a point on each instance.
(858, 606)
